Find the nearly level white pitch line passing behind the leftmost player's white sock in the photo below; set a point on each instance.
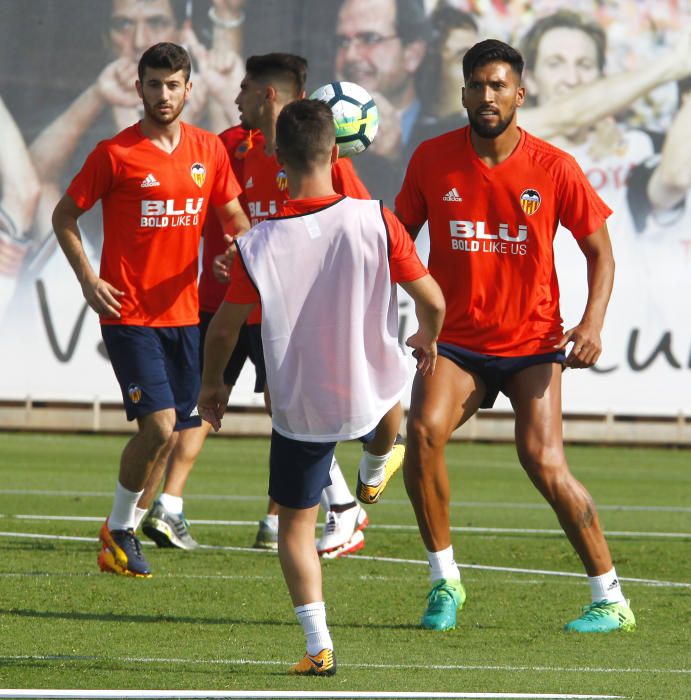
(403, 528)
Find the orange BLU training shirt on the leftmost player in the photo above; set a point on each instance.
(154, 205)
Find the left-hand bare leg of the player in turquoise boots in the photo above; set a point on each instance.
(439, 404)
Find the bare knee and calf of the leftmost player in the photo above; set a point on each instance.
(152, 442)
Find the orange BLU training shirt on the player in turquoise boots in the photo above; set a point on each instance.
(491, 237)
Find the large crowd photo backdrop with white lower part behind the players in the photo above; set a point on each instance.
(607, 81)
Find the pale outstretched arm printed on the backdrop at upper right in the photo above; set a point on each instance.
(587, 104)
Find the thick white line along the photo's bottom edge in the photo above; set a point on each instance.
(276, 694)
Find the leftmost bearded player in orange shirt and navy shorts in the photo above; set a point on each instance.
(156, 180)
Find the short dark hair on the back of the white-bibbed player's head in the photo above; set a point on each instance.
(305, 134)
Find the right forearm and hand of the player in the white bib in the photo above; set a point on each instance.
(430, 308)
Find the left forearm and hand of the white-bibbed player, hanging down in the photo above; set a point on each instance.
(221, 338)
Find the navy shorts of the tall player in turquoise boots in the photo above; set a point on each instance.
(495, 371)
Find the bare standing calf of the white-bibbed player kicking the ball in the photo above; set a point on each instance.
(298, 555)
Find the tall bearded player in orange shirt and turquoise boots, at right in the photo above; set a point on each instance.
(493, 196)
